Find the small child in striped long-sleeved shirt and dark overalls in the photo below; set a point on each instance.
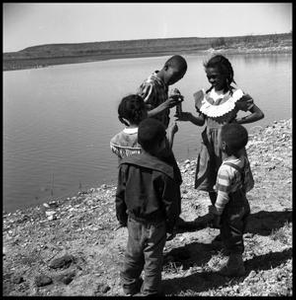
(231, 208)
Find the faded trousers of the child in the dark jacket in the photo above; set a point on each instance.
(144, 252)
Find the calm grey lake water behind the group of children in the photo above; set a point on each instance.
(58, 121)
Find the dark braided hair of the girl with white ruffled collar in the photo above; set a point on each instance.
(224, 66)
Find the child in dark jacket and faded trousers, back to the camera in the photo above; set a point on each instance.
(147, 202)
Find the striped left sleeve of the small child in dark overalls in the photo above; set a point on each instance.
(223, 185)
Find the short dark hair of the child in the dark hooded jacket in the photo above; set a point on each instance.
(150, 133)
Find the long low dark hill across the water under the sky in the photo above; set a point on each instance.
(50, 54)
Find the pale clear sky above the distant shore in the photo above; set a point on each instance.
(31, 24)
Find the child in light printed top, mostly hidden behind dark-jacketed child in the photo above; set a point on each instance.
(131, 111)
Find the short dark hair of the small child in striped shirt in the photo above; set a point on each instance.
(235, 136)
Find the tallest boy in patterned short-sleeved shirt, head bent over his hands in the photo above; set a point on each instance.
(154, 90)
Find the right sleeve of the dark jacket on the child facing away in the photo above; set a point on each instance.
(171, 198)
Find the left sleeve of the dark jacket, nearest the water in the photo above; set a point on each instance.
(121, 208)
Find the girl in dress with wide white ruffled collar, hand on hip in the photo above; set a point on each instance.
(217, 106)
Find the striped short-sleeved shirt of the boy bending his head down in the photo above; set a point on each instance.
(154, 92)
